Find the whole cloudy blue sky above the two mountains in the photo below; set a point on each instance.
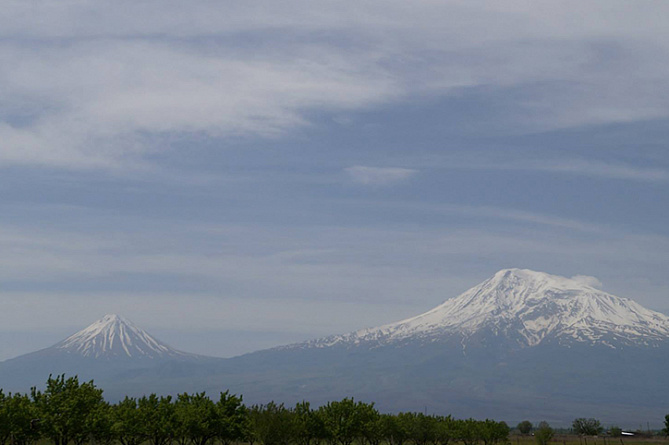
(233, 176)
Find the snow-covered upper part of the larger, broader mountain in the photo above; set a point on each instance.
(526, 308)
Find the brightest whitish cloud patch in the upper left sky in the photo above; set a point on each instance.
(110, 102)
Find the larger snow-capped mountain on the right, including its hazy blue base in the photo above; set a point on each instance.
(520, 345)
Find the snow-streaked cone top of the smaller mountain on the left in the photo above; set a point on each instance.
(116, 337)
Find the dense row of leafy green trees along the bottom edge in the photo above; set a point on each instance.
(68, 412)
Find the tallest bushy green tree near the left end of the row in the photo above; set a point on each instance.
(67, 409)
